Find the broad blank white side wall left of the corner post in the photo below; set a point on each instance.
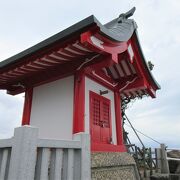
(52, 109)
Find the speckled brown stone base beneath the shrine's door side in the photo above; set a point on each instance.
(113, 166)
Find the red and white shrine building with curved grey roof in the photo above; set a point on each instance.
(75, 80)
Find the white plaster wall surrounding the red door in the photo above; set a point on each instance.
(91, 85)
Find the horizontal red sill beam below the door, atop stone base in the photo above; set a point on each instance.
(96, 147)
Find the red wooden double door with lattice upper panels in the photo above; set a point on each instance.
(100, 119)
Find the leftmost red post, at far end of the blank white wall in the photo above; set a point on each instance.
(27, 107)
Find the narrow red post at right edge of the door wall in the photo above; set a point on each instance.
(119, 127)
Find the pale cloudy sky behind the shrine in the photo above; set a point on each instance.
(25, 23)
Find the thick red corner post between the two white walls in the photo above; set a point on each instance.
(79, 102)
